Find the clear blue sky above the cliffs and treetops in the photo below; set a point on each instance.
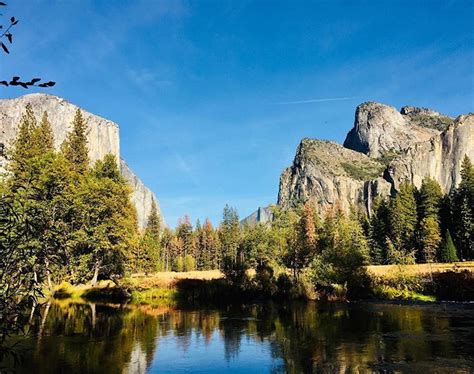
(213, 97)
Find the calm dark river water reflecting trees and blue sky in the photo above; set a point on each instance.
(361, 337)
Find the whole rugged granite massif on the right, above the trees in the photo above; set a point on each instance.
(384, 148)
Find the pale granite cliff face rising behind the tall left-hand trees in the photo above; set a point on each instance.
(103, 138)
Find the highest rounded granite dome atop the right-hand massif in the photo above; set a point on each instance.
(380, 130)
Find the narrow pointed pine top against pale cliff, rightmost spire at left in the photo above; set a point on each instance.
(74, 147)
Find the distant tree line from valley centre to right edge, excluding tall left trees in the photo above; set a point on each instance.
(415, 225)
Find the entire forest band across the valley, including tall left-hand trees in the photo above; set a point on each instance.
(62, 219)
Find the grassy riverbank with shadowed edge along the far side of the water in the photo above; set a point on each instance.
(420, 282)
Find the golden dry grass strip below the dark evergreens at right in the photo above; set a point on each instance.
(382, 270)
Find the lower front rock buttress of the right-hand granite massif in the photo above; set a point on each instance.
(330, 174)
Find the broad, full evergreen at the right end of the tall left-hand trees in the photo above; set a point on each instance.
(107, 223)
